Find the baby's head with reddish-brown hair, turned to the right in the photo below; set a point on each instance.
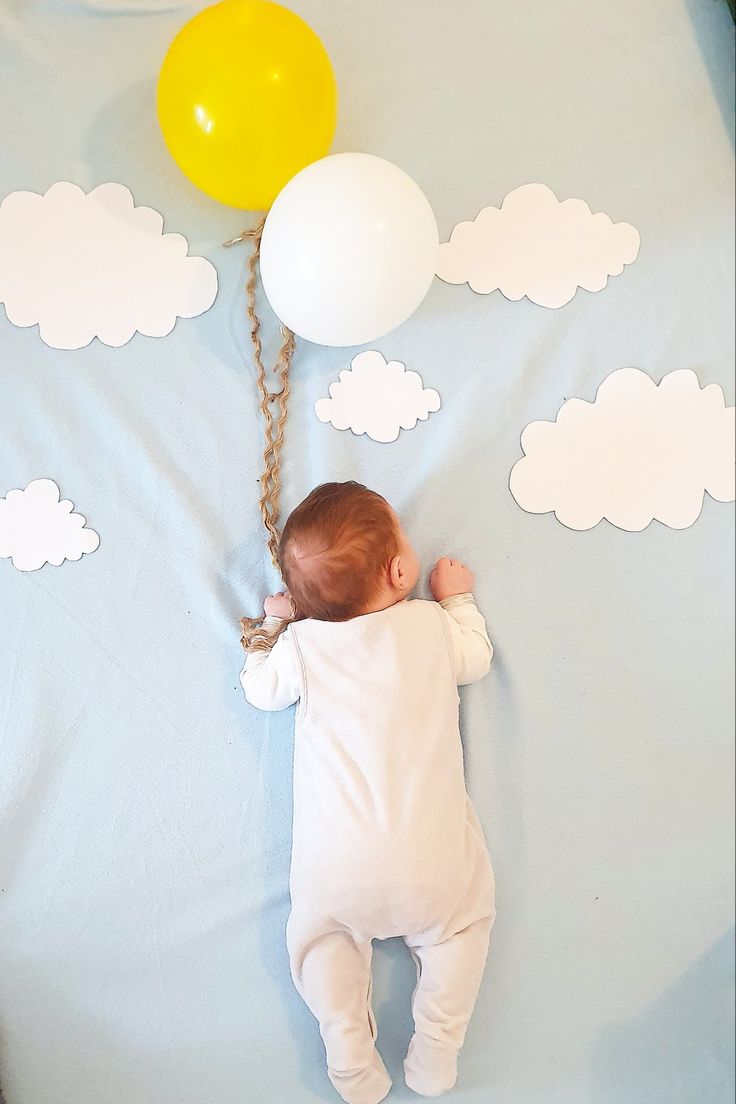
(344, 554)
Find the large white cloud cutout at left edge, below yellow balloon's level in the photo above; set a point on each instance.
(95, 266)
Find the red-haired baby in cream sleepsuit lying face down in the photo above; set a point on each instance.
(387, 842)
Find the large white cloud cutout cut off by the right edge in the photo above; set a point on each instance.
(639, 452)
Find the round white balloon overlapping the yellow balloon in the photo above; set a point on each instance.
(349, 250)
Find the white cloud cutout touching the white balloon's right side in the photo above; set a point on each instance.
(536, 247)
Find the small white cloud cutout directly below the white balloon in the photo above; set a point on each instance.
(378, 398)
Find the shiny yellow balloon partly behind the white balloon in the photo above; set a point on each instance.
(247, 100)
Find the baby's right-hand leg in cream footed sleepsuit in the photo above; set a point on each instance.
(450, 975)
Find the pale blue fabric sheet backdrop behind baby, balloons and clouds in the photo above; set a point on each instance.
(145, 822)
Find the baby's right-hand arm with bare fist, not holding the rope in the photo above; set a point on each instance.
(472, 652)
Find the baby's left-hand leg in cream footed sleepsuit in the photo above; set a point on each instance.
(332, 970)
